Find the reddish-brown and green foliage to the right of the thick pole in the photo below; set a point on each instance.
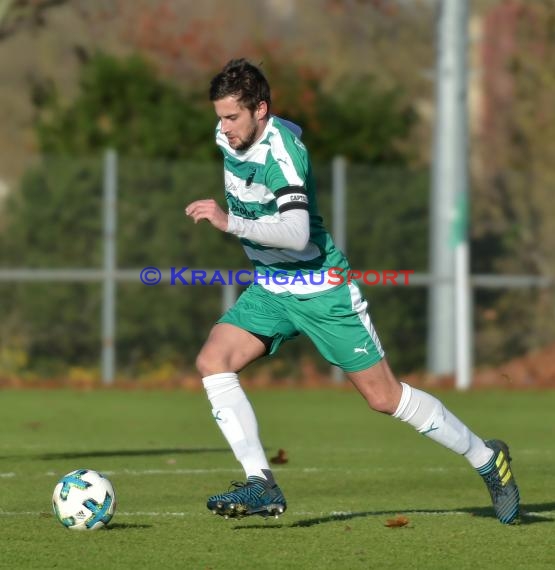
(514, 178)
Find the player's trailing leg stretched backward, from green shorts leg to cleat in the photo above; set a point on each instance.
(339, 324)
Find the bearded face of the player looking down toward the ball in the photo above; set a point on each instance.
(241, 126)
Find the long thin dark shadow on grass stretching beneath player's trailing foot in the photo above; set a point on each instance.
(530, 514)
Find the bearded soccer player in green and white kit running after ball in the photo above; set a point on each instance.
(271, 198)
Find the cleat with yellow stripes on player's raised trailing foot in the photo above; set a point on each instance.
(500, 481)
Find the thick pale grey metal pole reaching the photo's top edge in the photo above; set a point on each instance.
(449, 179)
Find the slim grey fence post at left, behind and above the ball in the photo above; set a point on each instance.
(109, 282)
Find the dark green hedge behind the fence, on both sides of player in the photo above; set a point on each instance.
(165, 137)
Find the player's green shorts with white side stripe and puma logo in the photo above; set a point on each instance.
(337, 322)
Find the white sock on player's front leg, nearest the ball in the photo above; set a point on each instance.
(235, 417)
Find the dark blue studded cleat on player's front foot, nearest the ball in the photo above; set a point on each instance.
(255, 497)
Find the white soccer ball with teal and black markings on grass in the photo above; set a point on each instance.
(84, 500)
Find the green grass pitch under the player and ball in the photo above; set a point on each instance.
(349, 471)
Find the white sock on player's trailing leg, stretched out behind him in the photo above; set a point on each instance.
(430, 417)
